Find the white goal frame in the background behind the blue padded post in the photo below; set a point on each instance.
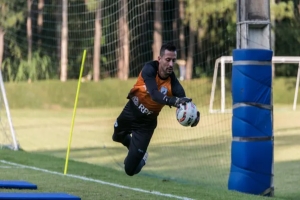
(220, 62)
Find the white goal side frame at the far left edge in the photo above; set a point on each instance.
(7, 136)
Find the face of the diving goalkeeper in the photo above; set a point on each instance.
(166, 62)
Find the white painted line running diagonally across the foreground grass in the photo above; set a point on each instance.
(96, 181)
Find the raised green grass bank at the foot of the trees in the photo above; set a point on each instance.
(112, 93)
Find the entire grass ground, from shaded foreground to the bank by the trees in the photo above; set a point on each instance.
(183, 162)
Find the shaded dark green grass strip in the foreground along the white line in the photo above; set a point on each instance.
(89, 190)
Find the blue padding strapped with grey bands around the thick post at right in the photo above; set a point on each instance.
(251, 168)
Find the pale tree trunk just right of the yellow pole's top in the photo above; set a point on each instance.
(97, 44)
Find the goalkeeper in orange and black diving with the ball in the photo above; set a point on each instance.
(156, 86)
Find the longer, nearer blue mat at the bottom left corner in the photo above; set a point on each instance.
(40, 196)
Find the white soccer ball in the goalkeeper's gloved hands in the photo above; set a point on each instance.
(186, 114)
